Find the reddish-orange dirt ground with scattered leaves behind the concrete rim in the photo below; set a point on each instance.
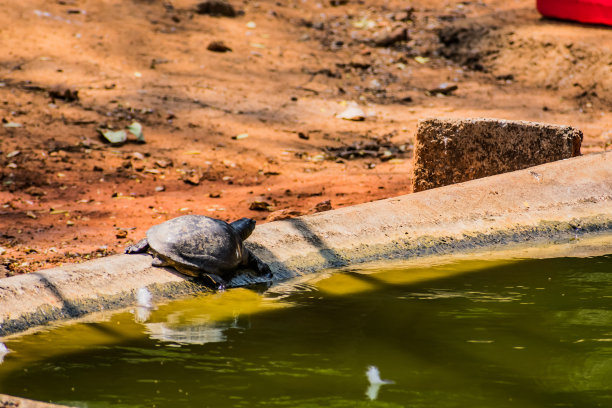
(253, 132)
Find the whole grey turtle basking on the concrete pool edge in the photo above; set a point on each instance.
(200, 246)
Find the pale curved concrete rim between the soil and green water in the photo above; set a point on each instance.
(553, 201)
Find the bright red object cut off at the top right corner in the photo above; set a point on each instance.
(584, 11)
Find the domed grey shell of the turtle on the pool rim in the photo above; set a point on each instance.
(197, 242)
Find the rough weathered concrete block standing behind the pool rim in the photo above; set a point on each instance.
(449, 151)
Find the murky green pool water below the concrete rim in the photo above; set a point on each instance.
(517, 333)
